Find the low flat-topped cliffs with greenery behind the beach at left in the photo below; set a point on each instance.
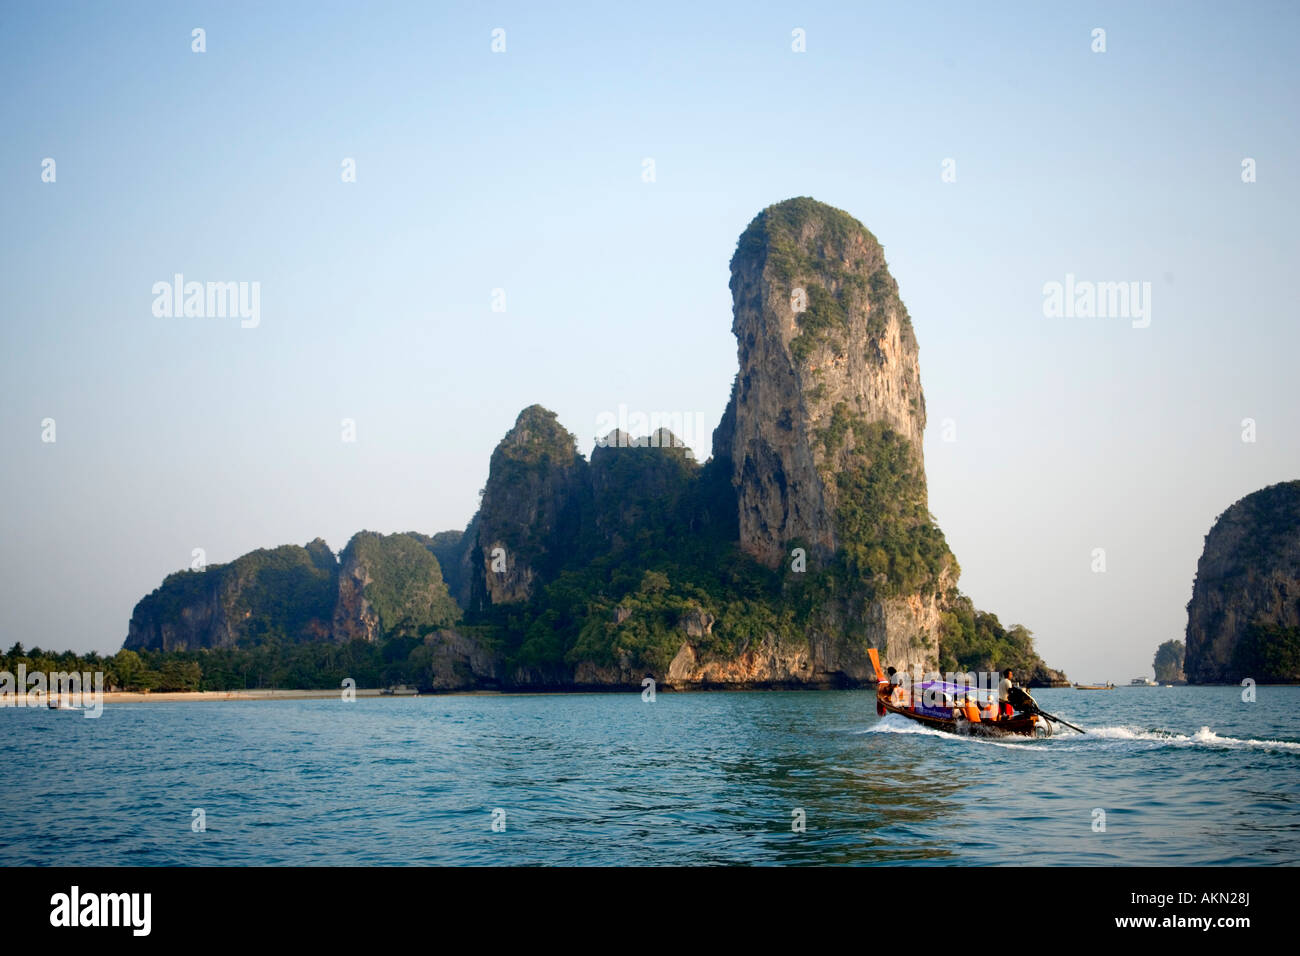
(289, 617)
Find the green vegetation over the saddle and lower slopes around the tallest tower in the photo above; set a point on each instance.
(660, 559)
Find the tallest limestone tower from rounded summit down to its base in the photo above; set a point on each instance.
(825, 430)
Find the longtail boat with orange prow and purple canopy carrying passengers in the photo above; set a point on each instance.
(955, 708)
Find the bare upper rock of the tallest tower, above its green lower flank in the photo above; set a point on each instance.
(827, 352)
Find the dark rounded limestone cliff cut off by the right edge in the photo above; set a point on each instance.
(1245, 616)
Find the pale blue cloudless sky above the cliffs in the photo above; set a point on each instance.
(522, 171)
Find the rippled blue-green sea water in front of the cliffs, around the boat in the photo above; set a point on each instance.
(1184, 776)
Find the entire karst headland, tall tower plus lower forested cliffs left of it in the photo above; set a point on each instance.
(804, 540)
